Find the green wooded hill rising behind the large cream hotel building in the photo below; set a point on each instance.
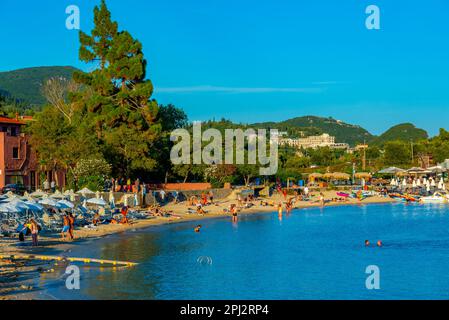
(342, 131)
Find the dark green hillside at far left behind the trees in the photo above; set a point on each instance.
(25, 84)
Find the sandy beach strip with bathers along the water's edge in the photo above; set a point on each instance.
(16, 277)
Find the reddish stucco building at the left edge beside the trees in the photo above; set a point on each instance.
(18, 162)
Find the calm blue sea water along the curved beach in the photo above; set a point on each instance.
(310, 254)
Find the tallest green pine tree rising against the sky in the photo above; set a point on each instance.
(116, 96)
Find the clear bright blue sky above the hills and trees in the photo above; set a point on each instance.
(255, 60)
